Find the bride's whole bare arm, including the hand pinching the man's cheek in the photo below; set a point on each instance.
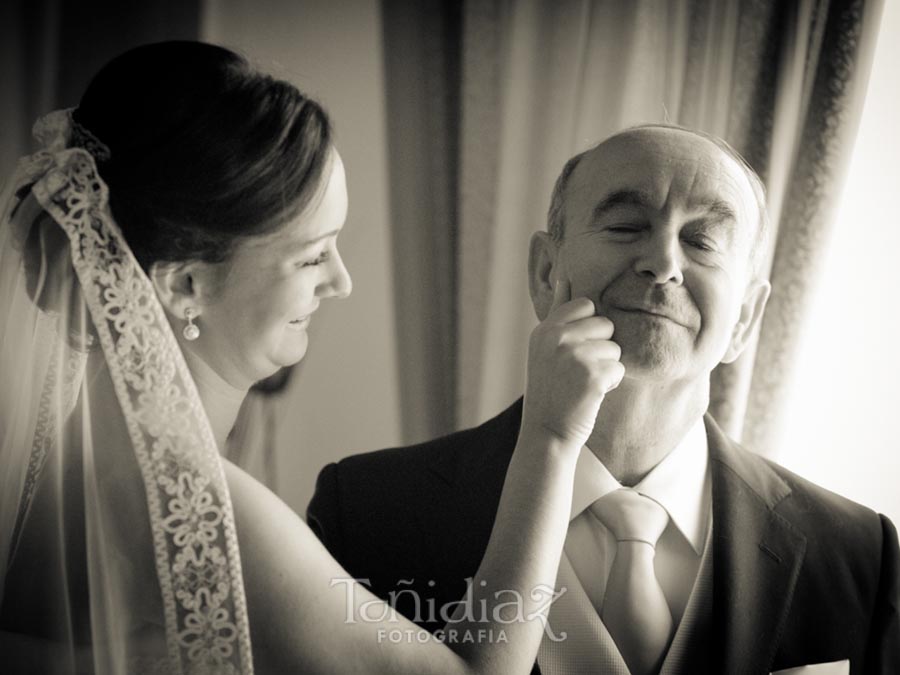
(303, 621)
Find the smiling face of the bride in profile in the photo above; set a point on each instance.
(257, 319)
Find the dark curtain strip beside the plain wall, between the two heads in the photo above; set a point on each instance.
(422, 73)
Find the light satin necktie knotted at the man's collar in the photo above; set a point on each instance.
(635, 611)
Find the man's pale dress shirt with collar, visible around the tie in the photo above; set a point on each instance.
(681, 484)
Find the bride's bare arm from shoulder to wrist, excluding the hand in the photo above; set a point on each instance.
(302, 621)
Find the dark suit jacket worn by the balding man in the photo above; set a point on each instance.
(801, 575)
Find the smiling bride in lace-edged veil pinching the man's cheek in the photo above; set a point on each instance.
(166, 248)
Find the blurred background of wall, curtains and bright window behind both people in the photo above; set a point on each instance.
(453, 120)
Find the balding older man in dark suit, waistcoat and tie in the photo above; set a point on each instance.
(685, 553)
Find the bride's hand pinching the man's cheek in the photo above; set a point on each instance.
(572, 364)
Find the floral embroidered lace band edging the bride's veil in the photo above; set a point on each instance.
(192, 522)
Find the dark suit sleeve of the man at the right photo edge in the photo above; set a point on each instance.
(883, 651)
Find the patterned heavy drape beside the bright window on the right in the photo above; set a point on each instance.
(836, 65)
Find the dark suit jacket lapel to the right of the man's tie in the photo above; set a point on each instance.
(757, 558)
